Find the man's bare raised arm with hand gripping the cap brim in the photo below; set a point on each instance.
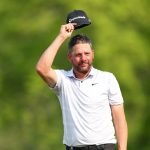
(44, 65)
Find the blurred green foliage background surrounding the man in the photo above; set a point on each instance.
(30, 115)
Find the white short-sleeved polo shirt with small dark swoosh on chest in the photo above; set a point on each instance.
(85, 106)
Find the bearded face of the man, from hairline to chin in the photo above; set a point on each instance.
(81, 57)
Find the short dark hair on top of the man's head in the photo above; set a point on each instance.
(79, 38)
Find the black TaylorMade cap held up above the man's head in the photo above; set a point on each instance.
(79, 17)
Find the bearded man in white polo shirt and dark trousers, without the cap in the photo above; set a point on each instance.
(90, 99)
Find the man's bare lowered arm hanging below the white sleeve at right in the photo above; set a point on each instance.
(120, 126)
